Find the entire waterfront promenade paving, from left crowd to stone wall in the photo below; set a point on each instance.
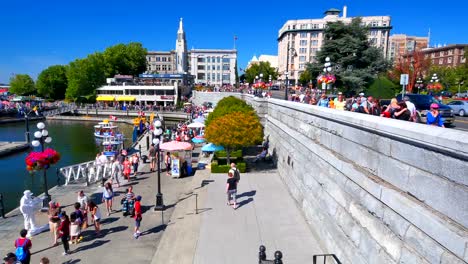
(217, 234)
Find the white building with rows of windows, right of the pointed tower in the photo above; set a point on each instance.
(213, 66)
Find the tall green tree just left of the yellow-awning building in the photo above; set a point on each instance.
(85, 76)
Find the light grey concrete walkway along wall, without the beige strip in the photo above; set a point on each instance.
(267, 215)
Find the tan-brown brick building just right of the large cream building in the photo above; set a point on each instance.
(401, 44)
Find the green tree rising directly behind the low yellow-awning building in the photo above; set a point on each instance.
(127, 59)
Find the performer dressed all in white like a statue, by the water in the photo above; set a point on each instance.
(28, 205)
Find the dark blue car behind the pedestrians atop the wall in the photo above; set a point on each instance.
(423, 104)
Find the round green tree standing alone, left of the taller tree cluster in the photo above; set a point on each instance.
(52, 82)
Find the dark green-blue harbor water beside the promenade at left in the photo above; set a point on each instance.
(74, 140)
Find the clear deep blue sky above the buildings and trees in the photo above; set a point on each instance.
(37, 34)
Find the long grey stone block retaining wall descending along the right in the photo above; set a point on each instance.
(374, 190)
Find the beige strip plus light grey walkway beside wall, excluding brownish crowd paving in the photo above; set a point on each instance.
(219, 234)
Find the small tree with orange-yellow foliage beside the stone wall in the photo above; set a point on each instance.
(234, 130)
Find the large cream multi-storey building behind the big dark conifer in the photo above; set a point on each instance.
(306, 37)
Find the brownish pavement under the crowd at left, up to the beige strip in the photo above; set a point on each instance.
(116, 244)
